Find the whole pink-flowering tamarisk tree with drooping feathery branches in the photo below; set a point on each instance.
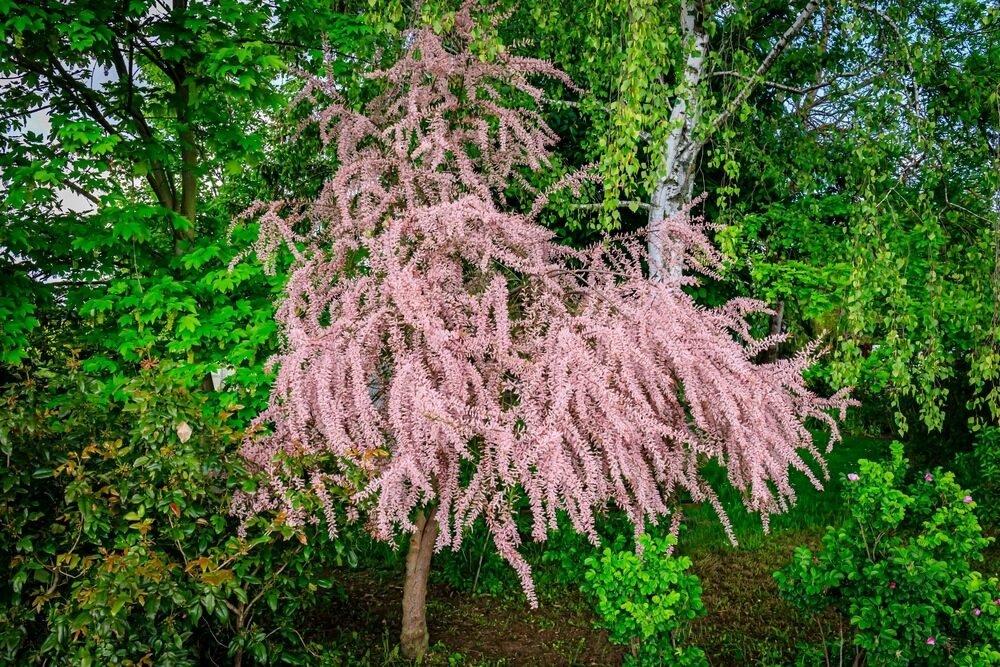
(450, 355)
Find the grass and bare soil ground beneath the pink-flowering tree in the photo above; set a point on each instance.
(478, 616)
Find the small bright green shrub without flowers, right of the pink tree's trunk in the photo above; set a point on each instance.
(645, 602)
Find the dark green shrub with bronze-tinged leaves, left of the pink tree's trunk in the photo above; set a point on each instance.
(114, 510)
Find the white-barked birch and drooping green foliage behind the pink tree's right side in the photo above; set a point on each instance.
(829, 137)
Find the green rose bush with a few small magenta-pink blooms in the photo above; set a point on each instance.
(900, 569)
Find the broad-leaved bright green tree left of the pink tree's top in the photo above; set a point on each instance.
(124, 121)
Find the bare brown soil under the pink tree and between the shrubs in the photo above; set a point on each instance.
(747, 623)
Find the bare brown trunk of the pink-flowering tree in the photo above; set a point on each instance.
(414, 638)
